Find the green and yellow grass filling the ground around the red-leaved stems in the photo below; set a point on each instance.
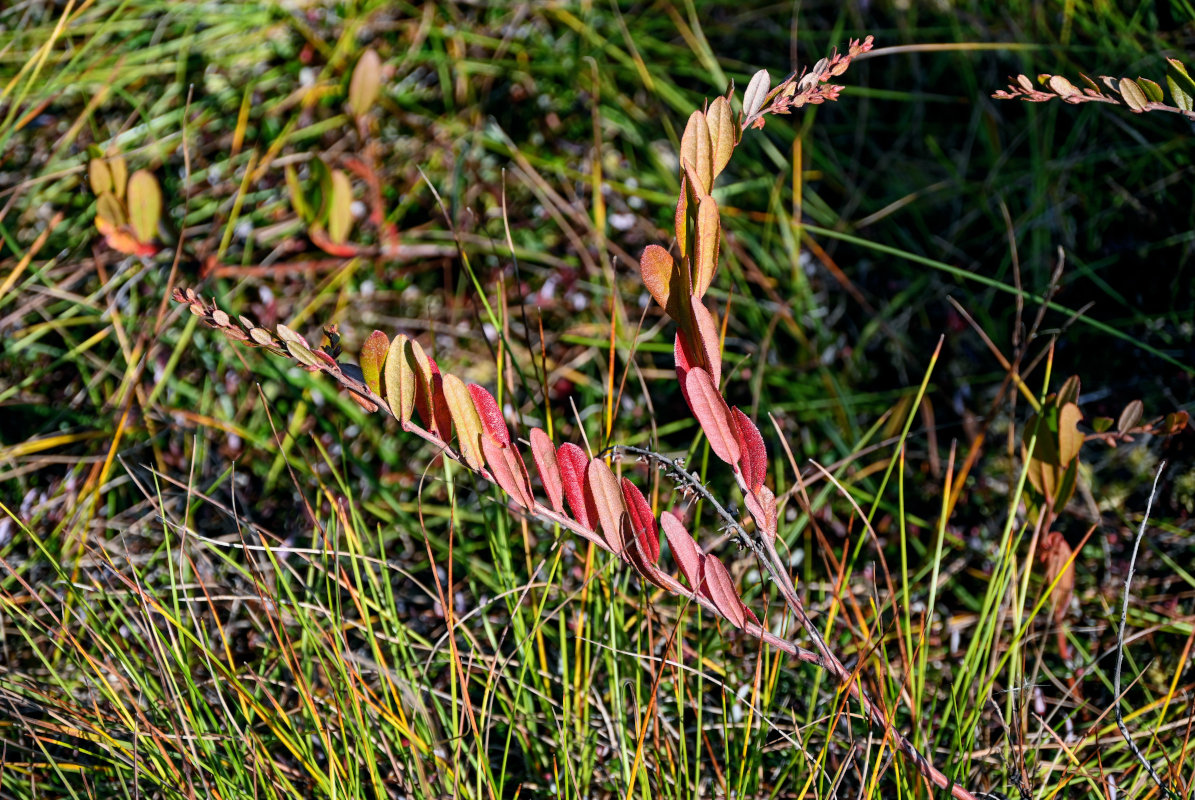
(220, 578)
